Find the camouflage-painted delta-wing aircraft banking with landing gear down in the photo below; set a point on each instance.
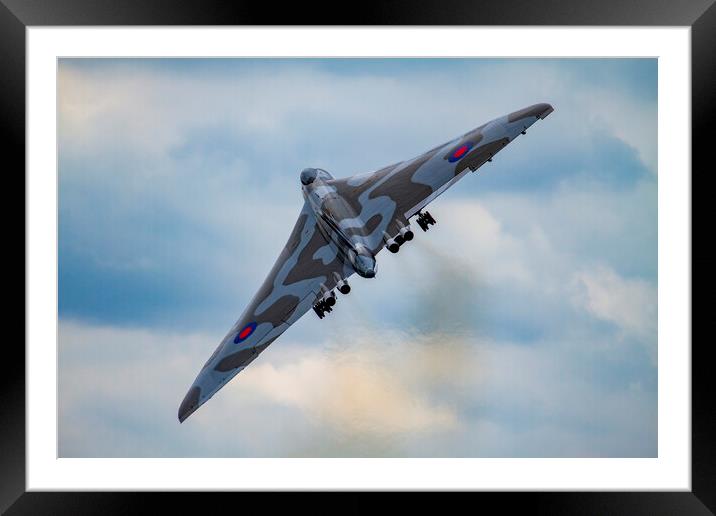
(343, 225)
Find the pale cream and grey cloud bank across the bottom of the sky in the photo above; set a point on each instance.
(394, 393)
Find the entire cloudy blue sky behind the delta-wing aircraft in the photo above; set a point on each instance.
(523, 324)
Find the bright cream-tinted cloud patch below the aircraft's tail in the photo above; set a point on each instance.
(355, 391)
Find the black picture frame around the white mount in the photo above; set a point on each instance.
(17, 15)
